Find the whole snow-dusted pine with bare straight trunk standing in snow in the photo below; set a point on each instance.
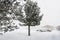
(32, 17)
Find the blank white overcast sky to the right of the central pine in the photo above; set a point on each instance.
(50, 9)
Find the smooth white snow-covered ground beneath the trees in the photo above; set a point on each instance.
(21, 34)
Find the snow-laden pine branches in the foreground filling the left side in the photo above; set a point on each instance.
(8, 10)
